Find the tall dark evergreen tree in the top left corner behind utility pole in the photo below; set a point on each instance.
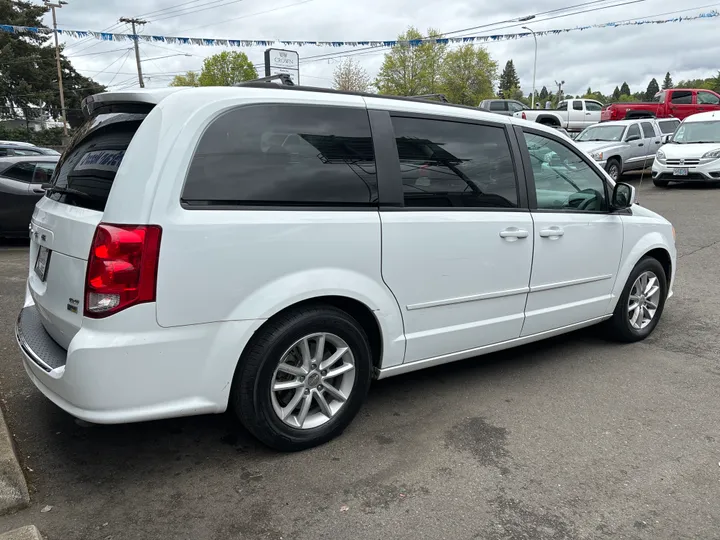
(29, 74)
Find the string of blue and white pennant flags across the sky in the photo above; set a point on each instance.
(214, 42)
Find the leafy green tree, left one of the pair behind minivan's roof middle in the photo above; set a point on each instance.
(412, 69)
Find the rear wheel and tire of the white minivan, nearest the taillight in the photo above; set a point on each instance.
(303, 378)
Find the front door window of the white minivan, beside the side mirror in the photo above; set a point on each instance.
(563, 181)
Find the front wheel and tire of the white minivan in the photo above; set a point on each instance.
(641, 303)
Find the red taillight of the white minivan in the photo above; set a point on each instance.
(122, 268)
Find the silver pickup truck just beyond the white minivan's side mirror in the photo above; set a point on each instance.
(623, 145)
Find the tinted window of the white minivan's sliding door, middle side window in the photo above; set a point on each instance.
(450, 164)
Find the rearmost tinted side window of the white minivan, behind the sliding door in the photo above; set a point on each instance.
(285, 155)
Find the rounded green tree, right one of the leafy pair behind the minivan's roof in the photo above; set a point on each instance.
(468, 74)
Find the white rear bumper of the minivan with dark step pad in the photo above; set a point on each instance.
(138, 371)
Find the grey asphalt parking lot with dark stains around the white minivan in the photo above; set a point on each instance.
(573, 438)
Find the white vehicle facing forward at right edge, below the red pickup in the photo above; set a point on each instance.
(692, 154)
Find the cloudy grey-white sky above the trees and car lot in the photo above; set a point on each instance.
(599, 58)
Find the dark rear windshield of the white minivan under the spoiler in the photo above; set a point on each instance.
(87, 169)
